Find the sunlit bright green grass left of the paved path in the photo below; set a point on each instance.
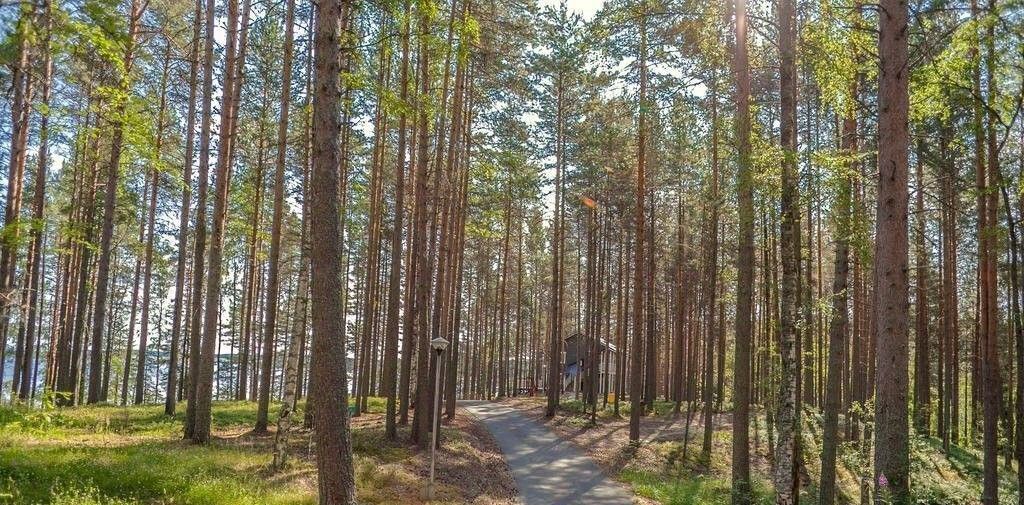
(111, 455)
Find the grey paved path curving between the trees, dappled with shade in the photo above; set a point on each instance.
(548, 471)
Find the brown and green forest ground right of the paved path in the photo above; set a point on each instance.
(666, 470)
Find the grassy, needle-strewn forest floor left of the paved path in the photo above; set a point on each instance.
(107, 455)
